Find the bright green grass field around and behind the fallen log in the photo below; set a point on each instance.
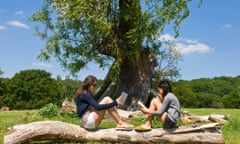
(231, 130)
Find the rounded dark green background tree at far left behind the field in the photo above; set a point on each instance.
(32, 89)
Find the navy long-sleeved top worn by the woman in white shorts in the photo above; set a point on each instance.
(86, 99)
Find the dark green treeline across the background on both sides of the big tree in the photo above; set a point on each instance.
(31, 89)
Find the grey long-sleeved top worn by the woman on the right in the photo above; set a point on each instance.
(170, 105)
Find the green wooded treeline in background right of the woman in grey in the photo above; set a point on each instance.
(219, 92)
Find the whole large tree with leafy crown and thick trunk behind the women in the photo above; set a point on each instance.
(122, 34)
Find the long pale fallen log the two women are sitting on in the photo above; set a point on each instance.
(57, 130)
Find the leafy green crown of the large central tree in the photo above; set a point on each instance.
(78, 32)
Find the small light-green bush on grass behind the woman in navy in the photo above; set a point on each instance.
(49, 110)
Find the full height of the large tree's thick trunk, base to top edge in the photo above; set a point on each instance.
(136, 69)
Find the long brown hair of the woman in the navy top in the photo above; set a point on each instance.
(88, 81)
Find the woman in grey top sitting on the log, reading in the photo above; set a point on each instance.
(166, 106)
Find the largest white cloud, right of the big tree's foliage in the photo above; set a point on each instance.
(187, 46)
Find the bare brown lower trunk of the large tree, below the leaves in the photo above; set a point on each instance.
(135, 78)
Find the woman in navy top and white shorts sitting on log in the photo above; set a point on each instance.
(90, 111)
